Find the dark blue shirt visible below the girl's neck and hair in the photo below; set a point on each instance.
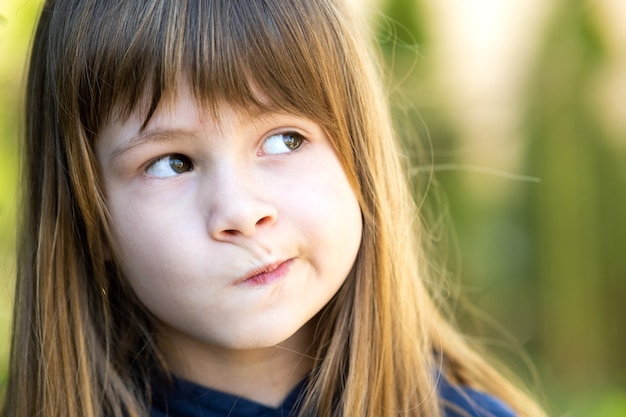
(186, 399)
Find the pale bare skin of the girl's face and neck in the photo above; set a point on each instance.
(234, 233)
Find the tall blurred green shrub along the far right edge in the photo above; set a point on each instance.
(577, 216)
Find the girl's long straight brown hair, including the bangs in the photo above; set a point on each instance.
(82, 342)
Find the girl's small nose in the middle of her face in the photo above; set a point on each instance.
(239, 206)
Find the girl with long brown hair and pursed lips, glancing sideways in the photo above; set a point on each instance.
(217, 224)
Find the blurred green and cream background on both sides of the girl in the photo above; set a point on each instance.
(521, 109)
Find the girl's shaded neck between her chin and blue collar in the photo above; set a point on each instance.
(264, 375)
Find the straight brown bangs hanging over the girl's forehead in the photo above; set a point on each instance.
(255, 55)
